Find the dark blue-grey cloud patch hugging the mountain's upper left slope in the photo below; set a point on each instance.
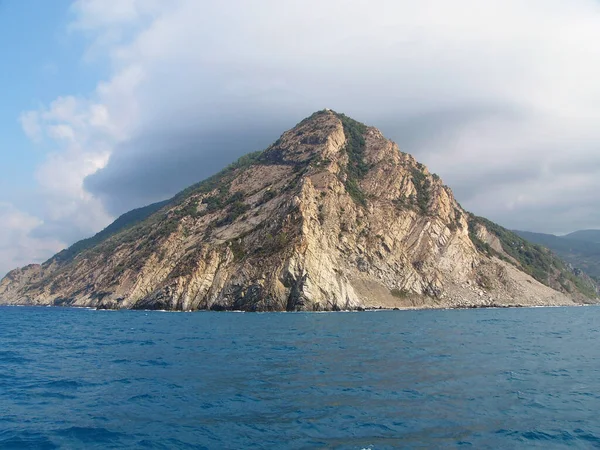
(156, 166)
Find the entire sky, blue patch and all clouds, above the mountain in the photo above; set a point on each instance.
(108, 105)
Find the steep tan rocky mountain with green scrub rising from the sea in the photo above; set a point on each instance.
(331, 216)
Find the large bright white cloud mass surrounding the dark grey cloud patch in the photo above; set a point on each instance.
(526, 73)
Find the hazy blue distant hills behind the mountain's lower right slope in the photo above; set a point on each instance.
(581, 254)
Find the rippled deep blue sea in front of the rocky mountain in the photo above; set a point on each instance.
(493, 378)
